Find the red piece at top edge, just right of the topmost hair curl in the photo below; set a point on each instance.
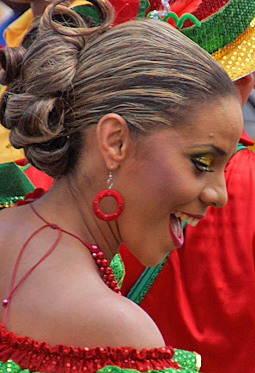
(125, 10)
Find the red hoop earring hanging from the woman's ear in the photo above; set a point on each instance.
(108, 193)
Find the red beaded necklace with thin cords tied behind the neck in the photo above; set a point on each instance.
(97, 254)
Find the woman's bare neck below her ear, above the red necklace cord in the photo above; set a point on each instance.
(74, 214)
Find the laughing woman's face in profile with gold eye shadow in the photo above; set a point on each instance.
(174, 175)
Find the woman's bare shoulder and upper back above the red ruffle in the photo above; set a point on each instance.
(75, 307)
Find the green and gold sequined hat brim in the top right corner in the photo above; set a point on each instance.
(229, 35)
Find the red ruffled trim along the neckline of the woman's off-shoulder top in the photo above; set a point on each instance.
(35, 356)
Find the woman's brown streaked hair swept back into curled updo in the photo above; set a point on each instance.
(69, 72)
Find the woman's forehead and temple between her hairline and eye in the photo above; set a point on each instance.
(217, 124)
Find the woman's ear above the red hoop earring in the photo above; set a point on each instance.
(113, 138)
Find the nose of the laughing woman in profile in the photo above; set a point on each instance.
(215, 192)
